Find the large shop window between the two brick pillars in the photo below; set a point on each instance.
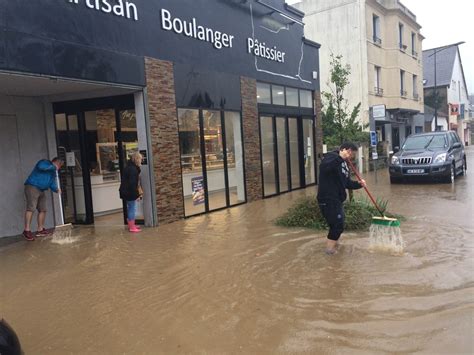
(211, 159)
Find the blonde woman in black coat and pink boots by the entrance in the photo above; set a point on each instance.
(130, 190)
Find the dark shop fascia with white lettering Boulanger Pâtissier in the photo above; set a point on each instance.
(261, 39)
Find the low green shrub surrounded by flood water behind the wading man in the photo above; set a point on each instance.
(306, 213)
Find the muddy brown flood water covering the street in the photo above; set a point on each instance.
(232, 282)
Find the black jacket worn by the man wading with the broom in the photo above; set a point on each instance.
(334, 178)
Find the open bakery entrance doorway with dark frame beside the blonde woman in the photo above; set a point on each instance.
(95, 138)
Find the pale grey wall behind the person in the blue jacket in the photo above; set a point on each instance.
(23, 136)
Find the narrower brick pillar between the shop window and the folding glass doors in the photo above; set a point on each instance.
(253, 170)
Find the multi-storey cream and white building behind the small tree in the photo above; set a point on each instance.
(381, 41)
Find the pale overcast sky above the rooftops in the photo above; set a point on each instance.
(445, 22)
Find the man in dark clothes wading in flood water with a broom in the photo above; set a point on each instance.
(334, 179)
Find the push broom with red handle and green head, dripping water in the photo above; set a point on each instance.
(385, 232)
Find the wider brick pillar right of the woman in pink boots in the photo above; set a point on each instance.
(164, 139)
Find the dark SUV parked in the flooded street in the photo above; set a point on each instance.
(435, 155)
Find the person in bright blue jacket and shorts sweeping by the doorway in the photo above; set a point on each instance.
(42, 178)
